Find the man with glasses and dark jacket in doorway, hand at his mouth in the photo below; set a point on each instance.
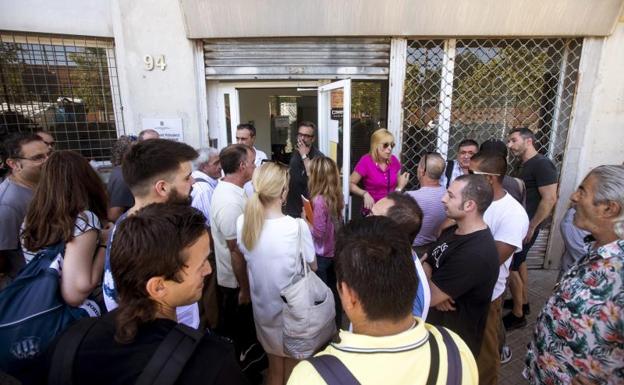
(299, 166)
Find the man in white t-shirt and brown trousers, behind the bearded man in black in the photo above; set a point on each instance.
(508, 222)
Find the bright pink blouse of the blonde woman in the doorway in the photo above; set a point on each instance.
(378, 183)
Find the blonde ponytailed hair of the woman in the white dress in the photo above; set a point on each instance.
(269, 180)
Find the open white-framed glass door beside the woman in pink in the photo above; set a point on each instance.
(334, 131)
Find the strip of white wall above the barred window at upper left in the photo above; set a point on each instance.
(68, 17)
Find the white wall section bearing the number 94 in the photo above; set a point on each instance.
(156, 27)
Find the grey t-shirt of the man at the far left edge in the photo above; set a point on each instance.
(14, 200)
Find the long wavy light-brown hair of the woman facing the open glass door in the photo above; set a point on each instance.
(324, 180)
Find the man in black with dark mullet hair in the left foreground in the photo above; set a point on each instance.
(154, 276)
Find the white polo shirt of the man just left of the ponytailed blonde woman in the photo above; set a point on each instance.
(228, 203)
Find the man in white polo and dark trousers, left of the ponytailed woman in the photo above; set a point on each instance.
(228, 203)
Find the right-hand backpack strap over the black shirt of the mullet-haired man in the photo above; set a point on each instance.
(172, 354)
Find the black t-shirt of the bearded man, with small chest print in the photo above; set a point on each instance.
(466, 268)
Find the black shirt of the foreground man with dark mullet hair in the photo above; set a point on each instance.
(101, 360)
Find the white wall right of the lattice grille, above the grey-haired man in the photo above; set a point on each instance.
(597, 130)
